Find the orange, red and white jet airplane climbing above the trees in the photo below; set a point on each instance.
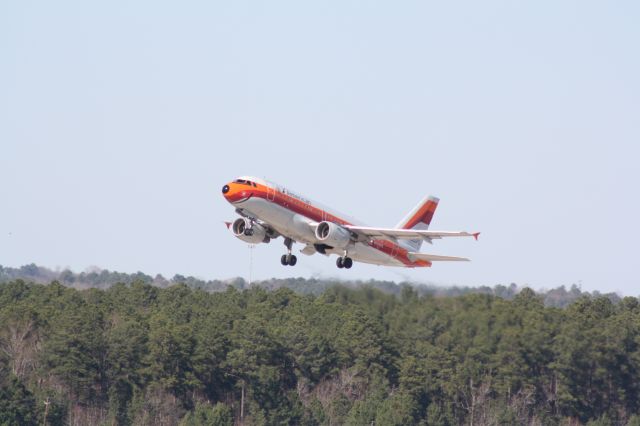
(269, 211)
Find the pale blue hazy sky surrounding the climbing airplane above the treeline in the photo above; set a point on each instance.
(121, 120)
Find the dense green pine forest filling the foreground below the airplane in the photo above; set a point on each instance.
(139, 354)
